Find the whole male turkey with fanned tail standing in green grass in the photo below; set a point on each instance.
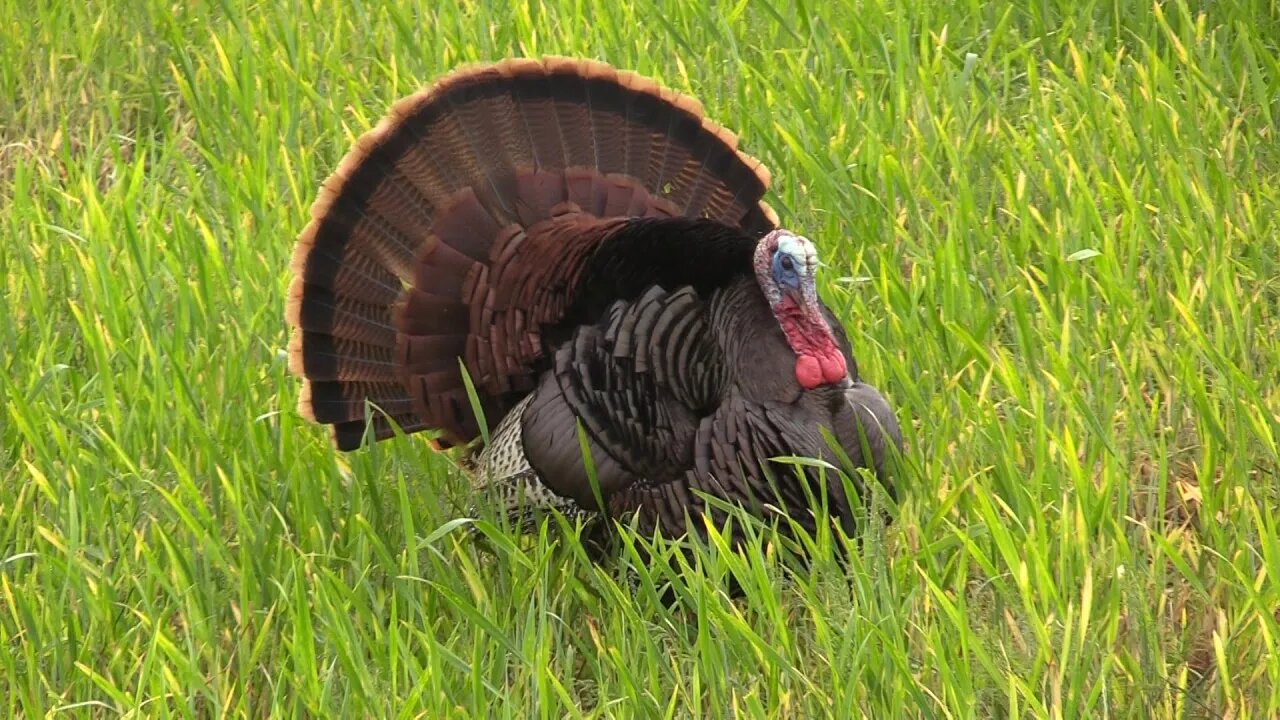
(597, 254)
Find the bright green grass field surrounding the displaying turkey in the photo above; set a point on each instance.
(1059, 257)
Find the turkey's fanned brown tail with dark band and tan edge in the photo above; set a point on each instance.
(456, 227)
